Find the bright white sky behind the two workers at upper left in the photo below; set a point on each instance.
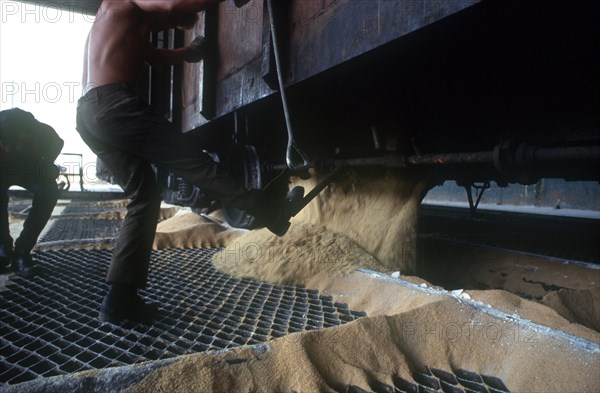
(41, 59)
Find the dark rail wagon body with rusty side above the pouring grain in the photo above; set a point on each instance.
(478, 90)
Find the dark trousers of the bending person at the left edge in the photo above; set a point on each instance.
(41, 181)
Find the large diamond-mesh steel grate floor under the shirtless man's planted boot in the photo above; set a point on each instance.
(49, 326)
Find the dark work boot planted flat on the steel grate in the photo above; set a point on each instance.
(122, 302)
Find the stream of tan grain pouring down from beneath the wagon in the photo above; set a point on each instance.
(375, 209)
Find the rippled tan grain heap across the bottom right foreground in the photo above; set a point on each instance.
(419, 331)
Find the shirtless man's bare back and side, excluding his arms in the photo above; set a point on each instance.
(116, 45)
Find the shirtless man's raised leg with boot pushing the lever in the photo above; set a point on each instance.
(153, 138)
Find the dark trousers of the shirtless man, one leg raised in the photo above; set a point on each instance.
(128, 135)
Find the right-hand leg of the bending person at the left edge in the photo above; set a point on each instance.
(45, 195)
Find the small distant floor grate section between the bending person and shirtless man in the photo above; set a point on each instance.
(77, 229)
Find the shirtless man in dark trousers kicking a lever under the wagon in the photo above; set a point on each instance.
(128, 135)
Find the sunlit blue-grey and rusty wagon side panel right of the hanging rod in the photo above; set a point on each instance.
(326, 33)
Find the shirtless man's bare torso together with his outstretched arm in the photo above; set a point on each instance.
(118, 44)
